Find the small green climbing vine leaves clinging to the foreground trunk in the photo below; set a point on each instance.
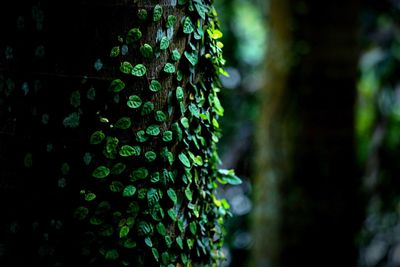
(153, 196)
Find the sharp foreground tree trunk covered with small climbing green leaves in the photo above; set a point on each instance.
(108, 118)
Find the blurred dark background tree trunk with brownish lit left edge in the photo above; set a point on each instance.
(307, 208)
